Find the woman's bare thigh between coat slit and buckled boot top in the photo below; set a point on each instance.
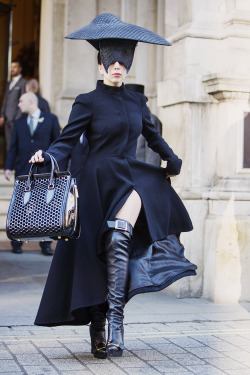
(131, 209)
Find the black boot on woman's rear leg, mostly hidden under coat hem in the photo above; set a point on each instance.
(97, 330)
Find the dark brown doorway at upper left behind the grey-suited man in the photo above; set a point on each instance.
(19, 38)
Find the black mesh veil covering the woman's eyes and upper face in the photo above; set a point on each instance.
(121, 50)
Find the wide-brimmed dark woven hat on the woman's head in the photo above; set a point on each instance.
(109, 26)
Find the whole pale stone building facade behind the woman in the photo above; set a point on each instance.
(200, 89)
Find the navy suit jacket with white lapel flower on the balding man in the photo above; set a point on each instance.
(23, 145)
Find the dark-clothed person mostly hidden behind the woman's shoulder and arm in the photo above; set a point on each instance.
(143, 152)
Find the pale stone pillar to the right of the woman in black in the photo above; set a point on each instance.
(203, 104)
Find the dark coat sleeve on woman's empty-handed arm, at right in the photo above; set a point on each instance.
(157, 143)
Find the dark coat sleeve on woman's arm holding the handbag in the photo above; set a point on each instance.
(79, 120)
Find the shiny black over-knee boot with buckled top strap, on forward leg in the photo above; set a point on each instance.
(117, 242)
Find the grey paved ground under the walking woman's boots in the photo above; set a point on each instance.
(163, 335)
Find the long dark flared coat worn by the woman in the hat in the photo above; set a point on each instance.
(112, 119)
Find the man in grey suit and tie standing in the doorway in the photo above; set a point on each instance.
(14, 89)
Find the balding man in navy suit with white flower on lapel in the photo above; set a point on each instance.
(33, 131)
